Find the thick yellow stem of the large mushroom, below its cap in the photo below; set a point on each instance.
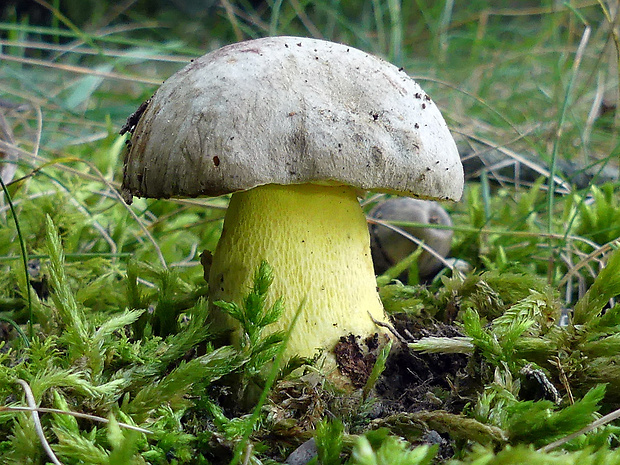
(316, 239)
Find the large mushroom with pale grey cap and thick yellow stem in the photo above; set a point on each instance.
(296, 129)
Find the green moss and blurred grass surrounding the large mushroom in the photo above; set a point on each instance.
(530, 92)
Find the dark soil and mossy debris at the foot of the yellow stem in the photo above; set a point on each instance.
(412, 382)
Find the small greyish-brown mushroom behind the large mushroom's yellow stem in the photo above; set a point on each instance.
(389, 246)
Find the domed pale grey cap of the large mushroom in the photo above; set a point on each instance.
(289, 110)
